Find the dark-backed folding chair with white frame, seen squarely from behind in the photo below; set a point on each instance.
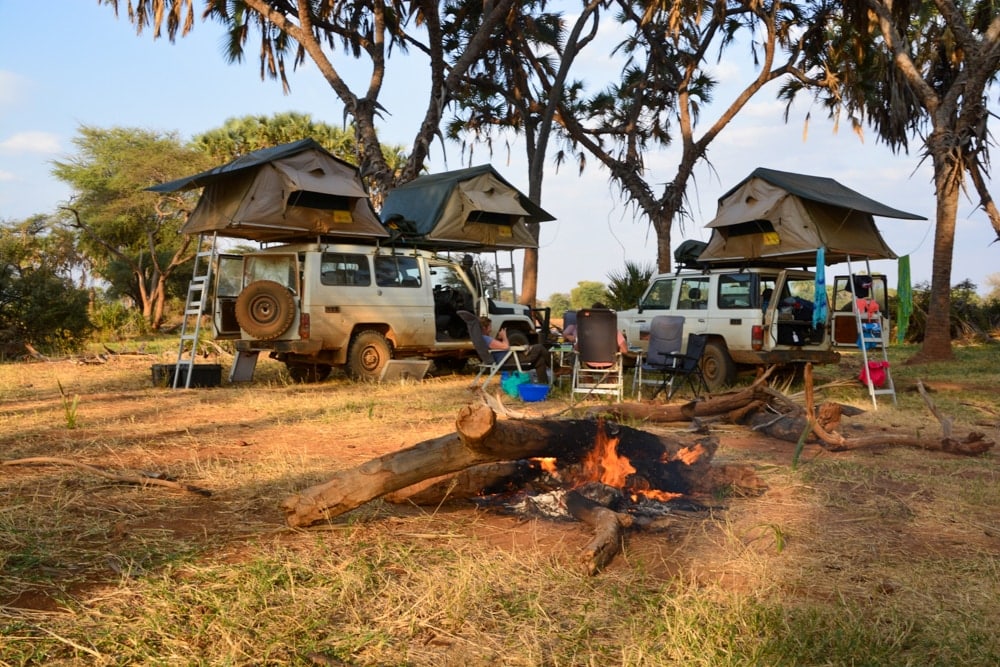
(597, 368)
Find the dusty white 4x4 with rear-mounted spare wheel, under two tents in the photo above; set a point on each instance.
(316, 306)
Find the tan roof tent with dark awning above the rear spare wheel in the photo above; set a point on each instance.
(290, 192)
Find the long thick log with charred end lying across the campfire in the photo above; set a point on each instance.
(480, 438)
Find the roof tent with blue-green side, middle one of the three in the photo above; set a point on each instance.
(466, 209)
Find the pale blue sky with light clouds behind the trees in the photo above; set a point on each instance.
(82, 66)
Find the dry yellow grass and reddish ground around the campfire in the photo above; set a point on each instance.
(877, 557)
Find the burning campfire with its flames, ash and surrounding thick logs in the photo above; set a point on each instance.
(607, 475)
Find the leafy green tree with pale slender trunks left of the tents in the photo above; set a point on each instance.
(123, 229)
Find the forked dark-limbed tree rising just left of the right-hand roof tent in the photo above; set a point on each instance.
(667, 83)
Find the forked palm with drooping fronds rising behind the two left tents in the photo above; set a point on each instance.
(290, 31)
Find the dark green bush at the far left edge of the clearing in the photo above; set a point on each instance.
(38, 302)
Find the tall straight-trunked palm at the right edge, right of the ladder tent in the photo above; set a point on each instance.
(919, 69)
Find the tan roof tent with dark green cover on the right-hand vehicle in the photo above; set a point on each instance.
(779, 218)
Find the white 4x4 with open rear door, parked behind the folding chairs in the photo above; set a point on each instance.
(746, 326)
